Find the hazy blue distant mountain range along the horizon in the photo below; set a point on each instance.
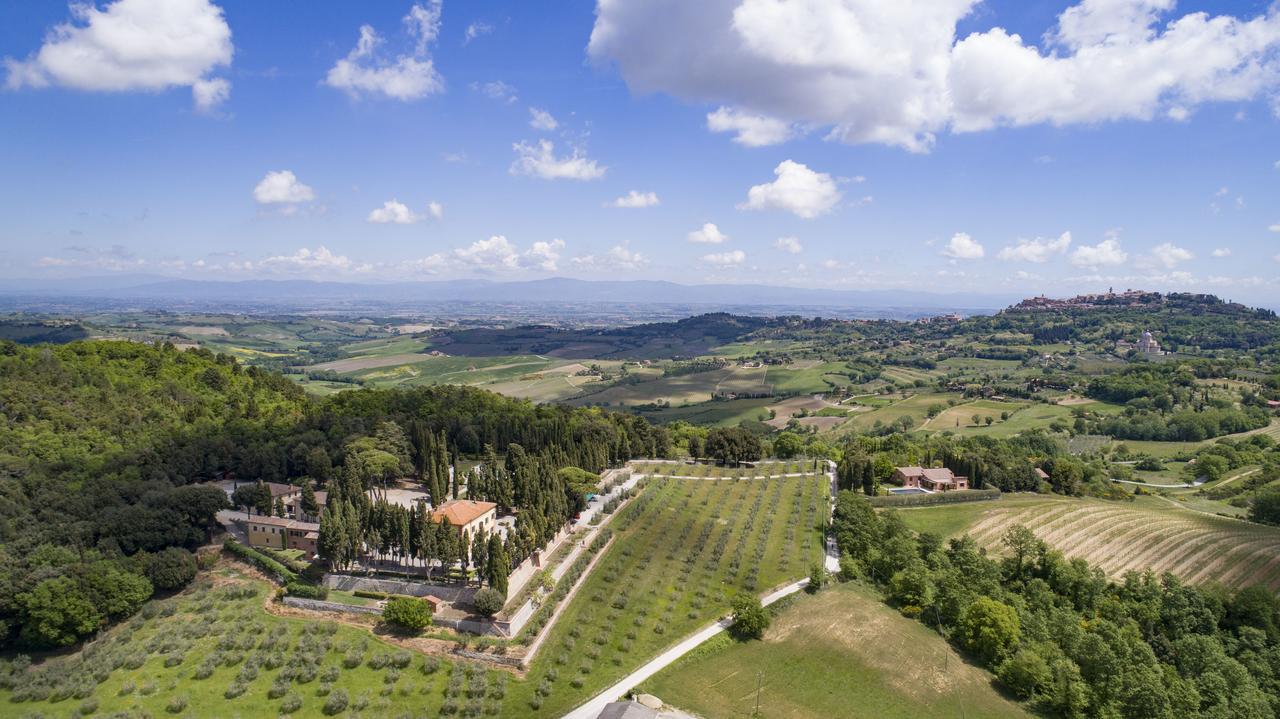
(559, 291)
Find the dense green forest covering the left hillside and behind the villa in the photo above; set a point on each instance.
(107, 446)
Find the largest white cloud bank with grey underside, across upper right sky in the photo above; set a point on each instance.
(897, 74)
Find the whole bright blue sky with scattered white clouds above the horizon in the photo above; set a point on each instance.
(936, 145)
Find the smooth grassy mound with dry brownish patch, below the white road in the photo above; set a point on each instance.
(840, 653)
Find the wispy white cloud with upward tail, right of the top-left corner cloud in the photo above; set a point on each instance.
(410, 76)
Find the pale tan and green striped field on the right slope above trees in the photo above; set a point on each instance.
(1150, 534)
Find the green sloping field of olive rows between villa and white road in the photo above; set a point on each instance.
(683, 549)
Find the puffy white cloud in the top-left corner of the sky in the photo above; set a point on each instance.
(134, 45)
